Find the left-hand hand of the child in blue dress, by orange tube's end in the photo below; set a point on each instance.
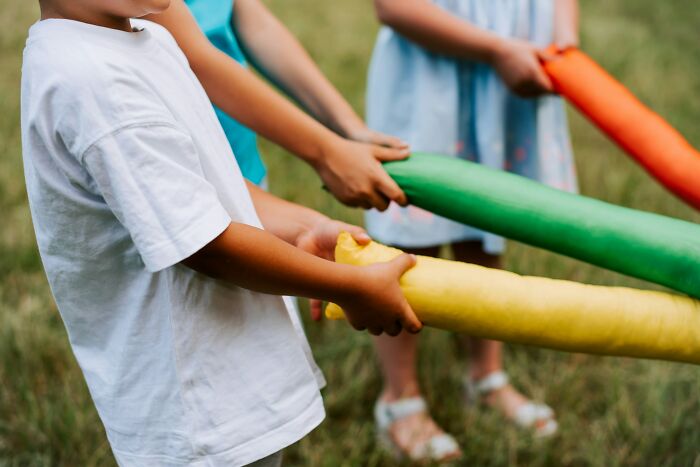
(517, 62)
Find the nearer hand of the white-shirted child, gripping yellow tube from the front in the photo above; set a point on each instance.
(378, 304)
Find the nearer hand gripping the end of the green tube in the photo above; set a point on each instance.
(353, 172)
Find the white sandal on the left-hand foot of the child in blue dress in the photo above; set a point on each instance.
(438, 448)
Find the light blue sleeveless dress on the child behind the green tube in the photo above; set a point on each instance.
(463, 109)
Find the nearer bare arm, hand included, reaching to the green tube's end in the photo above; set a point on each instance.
(352, 171)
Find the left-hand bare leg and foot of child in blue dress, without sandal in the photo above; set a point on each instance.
(397, 359)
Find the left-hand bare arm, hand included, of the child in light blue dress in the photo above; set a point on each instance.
(442, 32)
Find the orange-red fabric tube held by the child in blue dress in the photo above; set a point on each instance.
(643, 134)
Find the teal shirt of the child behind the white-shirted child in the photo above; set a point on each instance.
(215, 18)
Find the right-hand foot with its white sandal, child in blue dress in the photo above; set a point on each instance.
(495, 391)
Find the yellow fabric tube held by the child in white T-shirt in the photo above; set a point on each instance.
(556, 314)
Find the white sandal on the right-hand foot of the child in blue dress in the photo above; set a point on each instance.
(529, 415)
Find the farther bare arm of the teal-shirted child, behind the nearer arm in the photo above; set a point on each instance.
(275, 51)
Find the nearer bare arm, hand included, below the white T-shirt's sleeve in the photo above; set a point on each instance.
(257, 260)
